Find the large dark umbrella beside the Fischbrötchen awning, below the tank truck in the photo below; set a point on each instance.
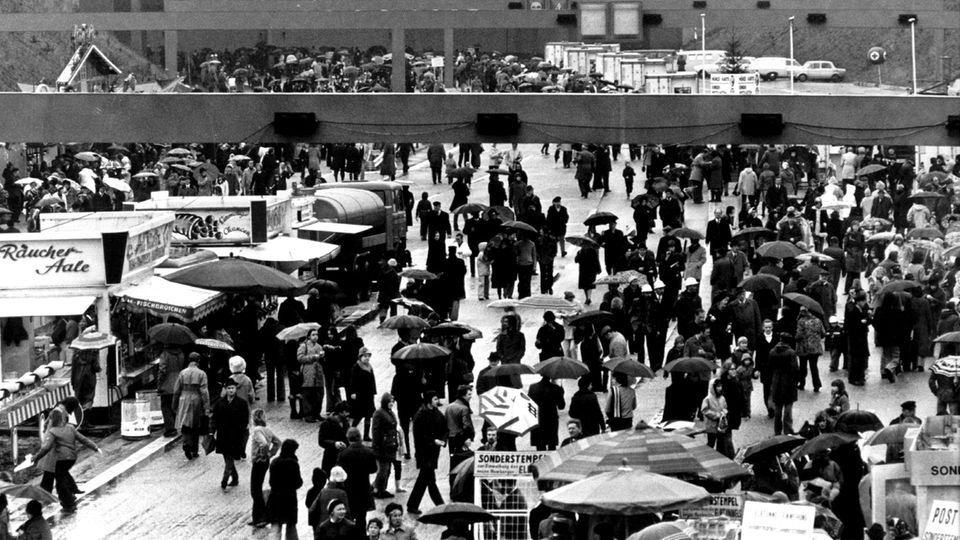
(237, 276)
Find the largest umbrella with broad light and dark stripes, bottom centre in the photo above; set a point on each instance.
(653, 450)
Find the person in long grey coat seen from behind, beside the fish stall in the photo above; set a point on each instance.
(191, 400)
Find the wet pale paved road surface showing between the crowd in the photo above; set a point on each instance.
(173, 498)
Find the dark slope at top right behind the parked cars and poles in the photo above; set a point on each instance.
(847, 48)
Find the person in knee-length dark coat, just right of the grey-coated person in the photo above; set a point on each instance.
(228, 423)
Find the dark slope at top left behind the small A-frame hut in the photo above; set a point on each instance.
(27, 57)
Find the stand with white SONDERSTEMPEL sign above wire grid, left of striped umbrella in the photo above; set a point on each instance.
(505, 487)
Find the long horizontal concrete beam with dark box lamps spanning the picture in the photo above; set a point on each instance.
(680, 119)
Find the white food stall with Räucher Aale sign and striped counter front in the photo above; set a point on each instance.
(61, 278)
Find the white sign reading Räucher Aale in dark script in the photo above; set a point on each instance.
(44, 262)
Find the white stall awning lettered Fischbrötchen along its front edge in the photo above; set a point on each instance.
(160, 297)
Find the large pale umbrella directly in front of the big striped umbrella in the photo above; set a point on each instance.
(625, 492)
